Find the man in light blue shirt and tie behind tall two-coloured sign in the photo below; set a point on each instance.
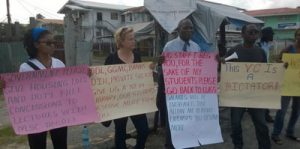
(182, 43)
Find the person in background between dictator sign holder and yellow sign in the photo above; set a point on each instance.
(266, 44)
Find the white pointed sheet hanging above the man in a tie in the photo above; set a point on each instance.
(169, 12)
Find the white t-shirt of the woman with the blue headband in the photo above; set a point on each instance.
(56, 63)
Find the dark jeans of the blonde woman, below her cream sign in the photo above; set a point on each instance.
(141, 124)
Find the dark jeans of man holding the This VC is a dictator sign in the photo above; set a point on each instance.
(261, 128)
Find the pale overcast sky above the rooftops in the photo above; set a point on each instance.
(21, 10)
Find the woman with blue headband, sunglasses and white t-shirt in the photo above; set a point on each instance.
(39, 44)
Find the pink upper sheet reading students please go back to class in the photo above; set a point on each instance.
(190, 72)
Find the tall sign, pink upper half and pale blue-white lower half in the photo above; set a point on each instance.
(191, 94)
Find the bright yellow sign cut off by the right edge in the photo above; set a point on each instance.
(291, 83)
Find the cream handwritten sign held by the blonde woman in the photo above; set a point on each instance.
(123, 90)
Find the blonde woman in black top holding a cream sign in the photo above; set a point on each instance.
(125, 41)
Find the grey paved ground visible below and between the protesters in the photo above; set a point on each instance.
(102, 137)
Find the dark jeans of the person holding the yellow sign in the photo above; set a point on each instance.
(279, 118)
